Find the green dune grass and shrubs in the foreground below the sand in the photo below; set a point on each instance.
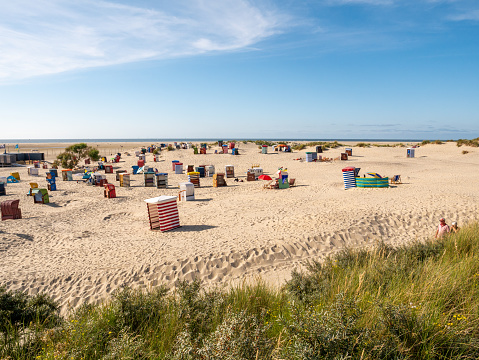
(417, 301)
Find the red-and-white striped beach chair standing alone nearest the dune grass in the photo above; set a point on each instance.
(163, 213)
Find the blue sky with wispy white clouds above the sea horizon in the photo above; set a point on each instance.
(239, 69)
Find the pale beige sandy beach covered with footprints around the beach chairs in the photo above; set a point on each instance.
(81, 246)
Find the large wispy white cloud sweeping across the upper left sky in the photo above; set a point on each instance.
(53, 36)
